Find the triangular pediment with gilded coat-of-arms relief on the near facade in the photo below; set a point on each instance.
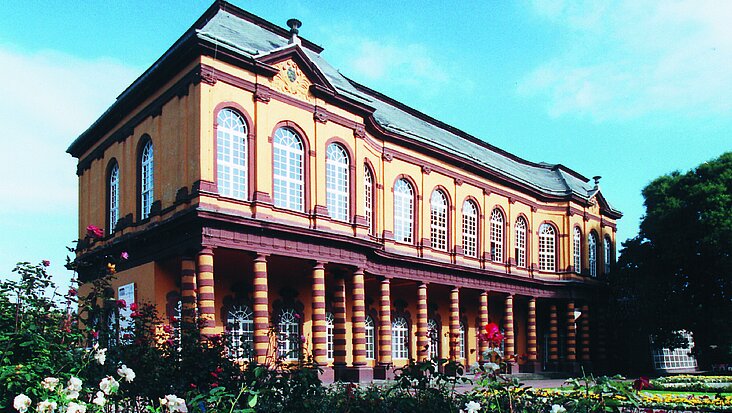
(296, 73)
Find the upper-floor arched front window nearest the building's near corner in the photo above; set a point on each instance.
(231, 154)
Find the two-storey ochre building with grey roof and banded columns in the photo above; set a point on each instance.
(260, 190)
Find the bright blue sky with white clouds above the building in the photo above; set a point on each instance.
(628, 90)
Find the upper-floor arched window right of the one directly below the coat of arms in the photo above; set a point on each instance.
(337, 181)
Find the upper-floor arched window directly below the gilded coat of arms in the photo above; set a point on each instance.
(287, 170)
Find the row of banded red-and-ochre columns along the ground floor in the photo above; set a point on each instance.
(198, 296)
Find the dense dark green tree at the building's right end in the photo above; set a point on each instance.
(677, 273)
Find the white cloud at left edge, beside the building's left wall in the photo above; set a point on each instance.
(48, 99)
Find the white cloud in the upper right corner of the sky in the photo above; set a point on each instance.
(628, 59)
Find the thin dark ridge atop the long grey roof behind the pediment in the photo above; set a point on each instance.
(458, 132)
